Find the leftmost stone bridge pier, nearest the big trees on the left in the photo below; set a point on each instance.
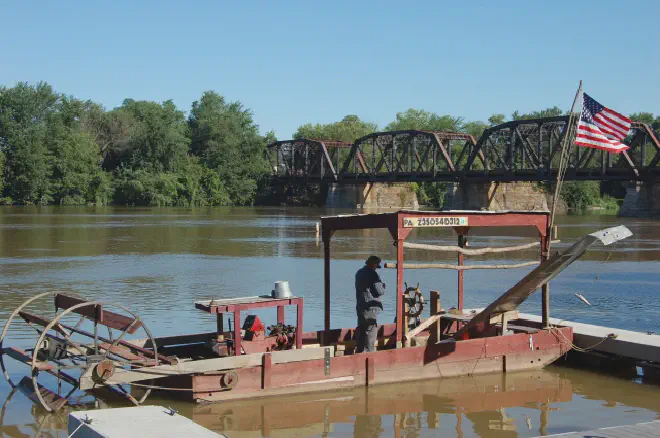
(371, 195)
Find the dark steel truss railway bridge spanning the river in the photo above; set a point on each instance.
(522, 150)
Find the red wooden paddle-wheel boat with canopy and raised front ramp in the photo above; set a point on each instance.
(101, 348)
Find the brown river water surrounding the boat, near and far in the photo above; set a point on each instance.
(157, 262)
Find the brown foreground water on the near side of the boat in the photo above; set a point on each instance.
(526, 404)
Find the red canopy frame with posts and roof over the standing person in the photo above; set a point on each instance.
(536, 221)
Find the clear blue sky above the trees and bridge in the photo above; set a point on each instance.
(311, 61)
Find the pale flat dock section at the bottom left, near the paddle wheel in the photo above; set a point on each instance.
(142, 421)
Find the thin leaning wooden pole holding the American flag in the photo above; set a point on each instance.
(561, 173)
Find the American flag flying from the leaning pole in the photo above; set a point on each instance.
(601, 128)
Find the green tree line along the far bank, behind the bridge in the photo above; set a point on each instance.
(57, 149)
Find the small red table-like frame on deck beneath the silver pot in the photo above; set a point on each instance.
(236, 309)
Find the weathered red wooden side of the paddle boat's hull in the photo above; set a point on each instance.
(516, 352)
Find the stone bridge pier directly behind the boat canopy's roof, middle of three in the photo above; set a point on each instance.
(524, 196)
